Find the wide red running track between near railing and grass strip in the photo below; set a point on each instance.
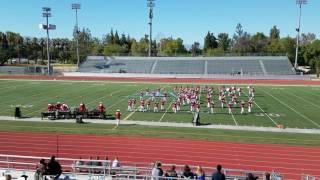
(291, 161)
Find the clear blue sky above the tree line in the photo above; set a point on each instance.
(187, 19)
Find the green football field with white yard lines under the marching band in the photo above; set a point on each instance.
(292, 106)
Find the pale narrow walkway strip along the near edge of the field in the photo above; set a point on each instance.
(170, 124)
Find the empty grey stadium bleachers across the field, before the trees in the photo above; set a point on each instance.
(259, 65)
